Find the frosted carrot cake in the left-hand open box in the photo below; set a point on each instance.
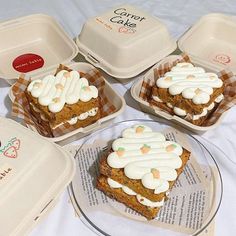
(63, 98)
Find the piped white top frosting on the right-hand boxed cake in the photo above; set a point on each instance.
(192, 82)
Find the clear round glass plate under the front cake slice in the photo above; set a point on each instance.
(104, 222)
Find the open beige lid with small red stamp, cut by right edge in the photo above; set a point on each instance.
(211, 42)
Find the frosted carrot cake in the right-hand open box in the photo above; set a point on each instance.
(188, 91)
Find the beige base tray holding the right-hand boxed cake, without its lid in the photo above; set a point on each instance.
(135, 91)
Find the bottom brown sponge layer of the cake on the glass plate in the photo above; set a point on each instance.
(128, 200)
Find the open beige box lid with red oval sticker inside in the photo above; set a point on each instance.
(31, 44)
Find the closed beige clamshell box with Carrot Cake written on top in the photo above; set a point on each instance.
(124, 41)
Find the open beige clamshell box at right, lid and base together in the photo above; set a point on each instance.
(209, 43)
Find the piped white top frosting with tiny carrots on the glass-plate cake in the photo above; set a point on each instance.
(148, 156)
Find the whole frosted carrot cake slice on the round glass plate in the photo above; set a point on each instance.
(141, 168)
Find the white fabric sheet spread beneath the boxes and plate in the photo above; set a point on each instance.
(178, 16)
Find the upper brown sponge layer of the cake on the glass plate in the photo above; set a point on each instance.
(136, 185)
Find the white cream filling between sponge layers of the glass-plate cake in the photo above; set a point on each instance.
(144, 201)
